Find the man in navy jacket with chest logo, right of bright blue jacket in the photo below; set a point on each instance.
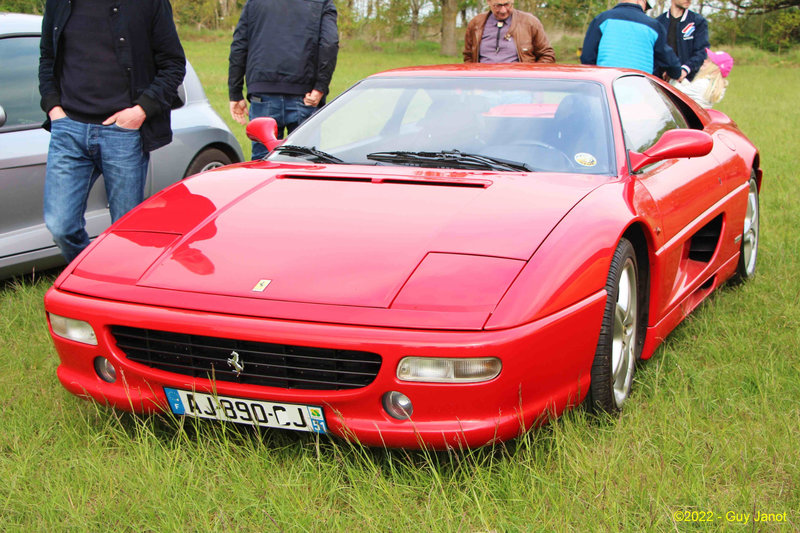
(687, 35)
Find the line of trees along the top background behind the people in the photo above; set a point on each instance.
(768, 24)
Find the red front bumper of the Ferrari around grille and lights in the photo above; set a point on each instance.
(546, 367)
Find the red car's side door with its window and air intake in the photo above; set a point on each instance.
(686, 191)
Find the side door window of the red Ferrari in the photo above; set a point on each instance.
(645, 112)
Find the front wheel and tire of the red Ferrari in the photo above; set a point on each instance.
(619, 346)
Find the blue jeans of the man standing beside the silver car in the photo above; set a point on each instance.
(78, 154)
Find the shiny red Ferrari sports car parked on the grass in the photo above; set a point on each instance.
(441, 257)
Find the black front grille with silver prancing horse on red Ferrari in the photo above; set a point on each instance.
(266, 364)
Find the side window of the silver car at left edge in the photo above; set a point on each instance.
(19, 82)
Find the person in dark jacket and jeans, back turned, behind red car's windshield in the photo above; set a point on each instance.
(286, 52)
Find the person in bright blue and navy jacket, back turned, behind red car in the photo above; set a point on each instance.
(624, 36)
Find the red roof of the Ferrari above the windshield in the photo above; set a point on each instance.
(512, 70)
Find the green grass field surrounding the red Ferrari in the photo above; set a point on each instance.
(712, 427)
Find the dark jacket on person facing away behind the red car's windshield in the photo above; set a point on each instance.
(283, 47)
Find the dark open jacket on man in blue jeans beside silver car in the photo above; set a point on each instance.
(147, 49)
